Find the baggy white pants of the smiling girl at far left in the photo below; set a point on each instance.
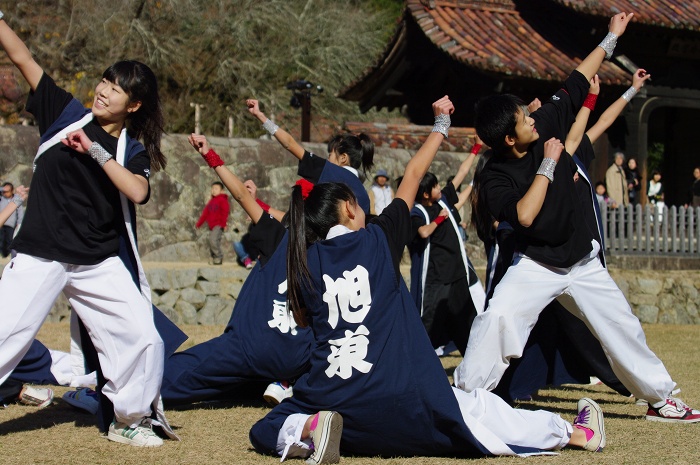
(117, 317)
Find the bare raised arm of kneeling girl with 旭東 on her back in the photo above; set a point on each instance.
(419, 164)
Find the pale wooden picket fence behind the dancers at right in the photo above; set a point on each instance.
(652, 229)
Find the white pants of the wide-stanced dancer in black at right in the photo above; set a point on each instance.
(501, 332)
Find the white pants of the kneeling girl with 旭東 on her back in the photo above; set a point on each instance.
(493, 422)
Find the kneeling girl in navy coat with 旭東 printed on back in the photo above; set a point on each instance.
(375, 385)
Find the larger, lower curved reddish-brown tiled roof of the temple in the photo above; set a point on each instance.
(501, 37)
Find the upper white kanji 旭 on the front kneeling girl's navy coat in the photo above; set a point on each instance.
(349, 296)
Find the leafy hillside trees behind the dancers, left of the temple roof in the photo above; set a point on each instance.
(216, 53)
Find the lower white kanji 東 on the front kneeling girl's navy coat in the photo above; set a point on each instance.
(348, 353)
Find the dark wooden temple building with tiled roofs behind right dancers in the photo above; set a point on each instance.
(470, 49)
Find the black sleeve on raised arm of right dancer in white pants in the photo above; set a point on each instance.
(555, 117)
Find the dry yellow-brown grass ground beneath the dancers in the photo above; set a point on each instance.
(218, 433)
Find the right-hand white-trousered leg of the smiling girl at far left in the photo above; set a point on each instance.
(121, 327)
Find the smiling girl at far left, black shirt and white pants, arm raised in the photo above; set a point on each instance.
(78, 236)
